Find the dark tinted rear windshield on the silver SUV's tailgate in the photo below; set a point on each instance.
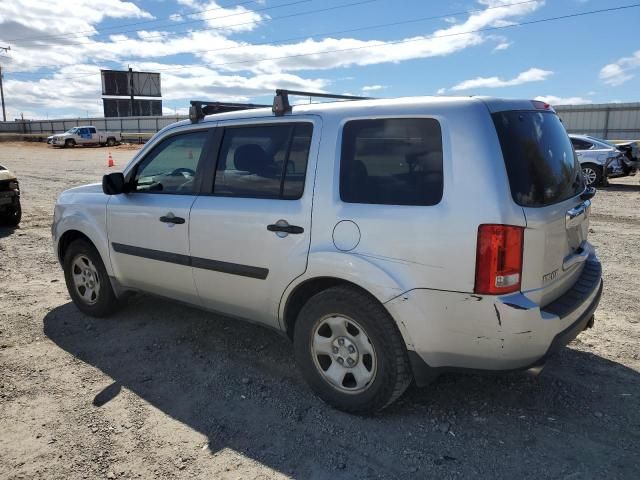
(541, 164)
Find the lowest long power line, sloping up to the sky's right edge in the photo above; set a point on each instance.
(398, 42)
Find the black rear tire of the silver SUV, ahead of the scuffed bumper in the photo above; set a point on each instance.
(393, 373)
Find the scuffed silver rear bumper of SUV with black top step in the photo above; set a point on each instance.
(455, 331)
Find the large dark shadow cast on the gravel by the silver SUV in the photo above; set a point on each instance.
(237, 384)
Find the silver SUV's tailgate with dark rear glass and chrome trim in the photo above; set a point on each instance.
(546, 181)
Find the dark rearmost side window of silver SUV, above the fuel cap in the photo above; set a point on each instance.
(395, 161)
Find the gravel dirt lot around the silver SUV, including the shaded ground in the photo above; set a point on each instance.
(162, 390)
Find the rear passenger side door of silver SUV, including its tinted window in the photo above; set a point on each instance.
(250, 235)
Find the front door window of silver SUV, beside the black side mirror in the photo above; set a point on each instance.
(171, 166)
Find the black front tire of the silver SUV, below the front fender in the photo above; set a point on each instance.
(106, 301)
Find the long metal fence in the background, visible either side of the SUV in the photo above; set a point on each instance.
(608, 120)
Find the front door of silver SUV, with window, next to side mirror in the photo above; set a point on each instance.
(148, 228)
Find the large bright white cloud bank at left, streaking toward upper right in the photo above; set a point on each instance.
(229, 69)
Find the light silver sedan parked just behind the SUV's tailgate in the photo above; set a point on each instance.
(599, 159)
